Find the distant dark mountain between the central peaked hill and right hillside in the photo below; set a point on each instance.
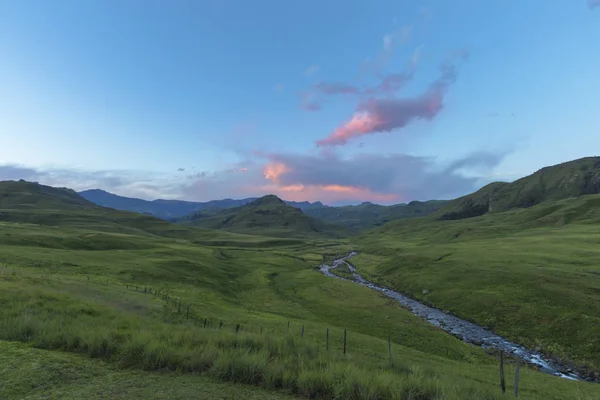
(369, 215)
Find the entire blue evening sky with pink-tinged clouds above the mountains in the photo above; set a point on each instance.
(339, 101)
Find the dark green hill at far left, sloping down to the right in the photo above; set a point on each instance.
(31, 203)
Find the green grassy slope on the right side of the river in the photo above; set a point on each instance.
(532, 275)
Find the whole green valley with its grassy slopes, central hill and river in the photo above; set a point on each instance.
(245, 295)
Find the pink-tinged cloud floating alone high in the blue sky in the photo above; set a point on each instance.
(377, 115)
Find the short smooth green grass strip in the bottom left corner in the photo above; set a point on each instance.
(30, 373)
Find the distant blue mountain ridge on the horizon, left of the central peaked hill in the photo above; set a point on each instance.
(171, 209)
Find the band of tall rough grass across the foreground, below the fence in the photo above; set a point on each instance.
(56, 321)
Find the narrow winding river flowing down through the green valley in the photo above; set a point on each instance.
(467, 331)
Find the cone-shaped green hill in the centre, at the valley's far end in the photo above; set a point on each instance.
(266, 215)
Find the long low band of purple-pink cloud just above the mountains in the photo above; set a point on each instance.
(326, 177)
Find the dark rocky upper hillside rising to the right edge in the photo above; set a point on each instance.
(569, 179)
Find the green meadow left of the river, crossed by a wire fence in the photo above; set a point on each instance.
(69, 293)
